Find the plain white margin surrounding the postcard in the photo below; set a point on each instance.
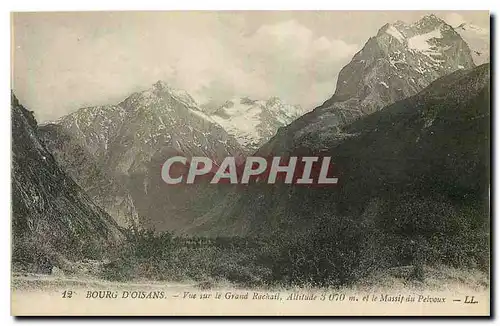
(93, 5)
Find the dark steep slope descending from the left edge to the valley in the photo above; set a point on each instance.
(52, 218)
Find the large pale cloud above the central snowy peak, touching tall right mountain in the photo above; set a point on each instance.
(285, 59)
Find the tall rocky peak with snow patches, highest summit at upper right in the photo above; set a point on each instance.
(397, 63)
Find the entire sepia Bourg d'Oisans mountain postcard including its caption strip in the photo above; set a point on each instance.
(250, 163)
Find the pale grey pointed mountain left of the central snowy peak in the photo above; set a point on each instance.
(116, 152)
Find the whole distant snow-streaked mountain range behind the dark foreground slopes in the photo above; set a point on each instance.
(115, 152)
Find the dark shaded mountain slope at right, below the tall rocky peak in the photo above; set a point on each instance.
(432, 147)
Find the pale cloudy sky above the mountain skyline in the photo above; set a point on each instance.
(64, 61)
